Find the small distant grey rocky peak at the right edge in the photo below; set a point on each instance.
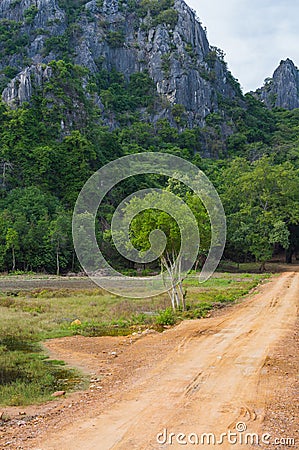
(282, 89)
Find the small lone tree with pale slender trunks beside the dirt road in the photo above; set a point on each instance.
(163, 212)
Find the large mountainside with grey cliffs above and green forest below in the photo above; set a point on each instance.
(84, 83)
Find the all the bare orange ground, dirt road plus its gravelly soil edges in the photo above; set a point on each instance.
(204, 376)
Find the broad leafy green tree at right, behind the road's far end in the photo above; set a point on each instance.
(261, 201)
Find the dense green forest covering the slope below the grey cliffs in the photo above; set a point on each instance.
(49, 148)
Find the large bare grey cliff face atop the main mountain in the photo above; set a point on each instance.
(164, 38)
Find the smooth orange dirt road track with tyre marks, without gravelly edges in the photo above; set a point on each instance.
(211, 382)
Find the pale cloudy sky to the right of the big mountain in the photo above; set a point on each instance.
(255, 35)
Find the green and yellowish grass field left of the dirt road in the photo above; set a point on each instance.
(28, 317)
